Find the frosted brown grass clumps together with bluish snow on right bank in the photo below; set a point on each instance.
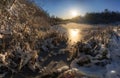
(100, 52)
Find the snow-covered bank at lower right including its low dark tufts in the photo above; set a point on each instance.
(102, 68)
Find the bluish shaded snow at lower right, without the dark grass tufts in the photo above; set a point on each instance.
(112, 69)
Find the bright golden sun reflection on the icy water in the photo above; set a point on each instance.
(74, 35)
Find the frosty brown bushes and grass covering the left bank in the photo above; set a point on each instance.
(21, 26)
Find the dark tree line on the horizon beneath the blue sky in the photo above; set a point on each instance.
(105, 17)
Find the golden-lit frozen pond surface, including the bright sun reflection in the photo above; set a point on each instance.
(76, 32)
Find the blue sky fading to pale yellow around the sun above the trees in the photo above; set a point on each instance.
(64, 8)
